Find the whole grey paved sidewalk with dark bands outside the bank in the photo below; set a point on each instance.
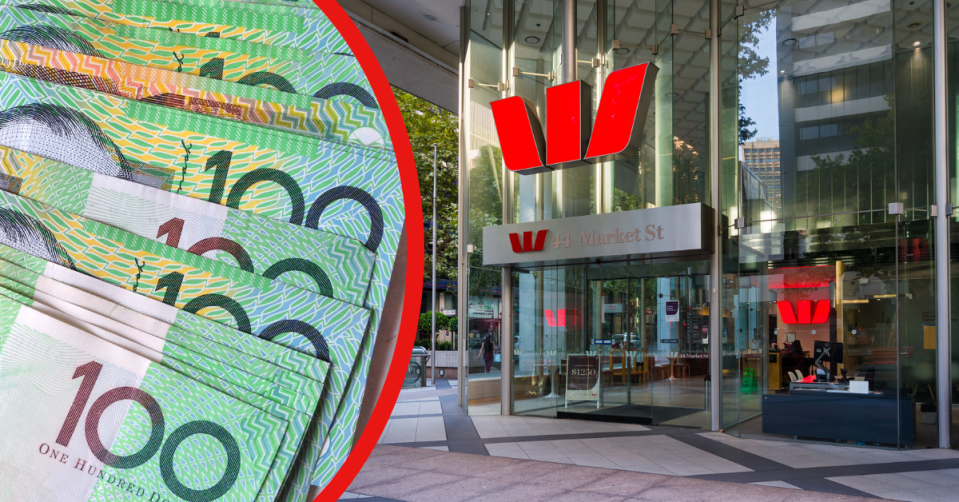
(427, 423)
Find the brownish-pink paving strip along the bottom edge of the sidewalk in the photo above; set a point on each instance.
(410, 474)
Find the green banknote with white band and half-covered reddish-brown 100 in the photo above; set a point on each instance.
(322, 262)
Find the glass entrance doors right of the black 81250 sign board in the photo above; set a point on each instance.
(649, 339)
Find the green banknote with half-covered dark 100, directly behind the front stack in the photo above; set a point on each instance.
(331, 330)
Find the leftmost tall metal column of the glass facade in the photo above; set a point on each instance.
(462, 297)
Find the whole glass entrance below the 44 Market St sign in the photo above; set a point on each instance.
(613, 342)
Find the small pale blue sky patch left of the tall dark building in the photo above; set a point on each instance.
(759, 94)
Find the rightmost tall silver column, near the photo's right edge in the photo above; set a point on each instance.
(943, 345)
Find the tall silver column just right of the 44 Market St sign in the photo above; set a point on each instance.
(715, 261)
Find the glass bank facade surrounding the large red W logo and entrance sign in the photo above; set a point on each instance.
(825, 119)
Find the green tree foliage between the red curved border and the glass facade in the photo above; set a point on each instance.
(427, 124)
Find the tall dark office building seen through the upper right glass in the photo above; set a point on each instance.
(837, 78)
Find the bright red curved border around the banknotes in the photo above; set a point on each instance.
(414, 249)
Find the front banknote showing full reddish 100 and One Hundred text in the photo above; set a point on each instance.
(64, 441)
